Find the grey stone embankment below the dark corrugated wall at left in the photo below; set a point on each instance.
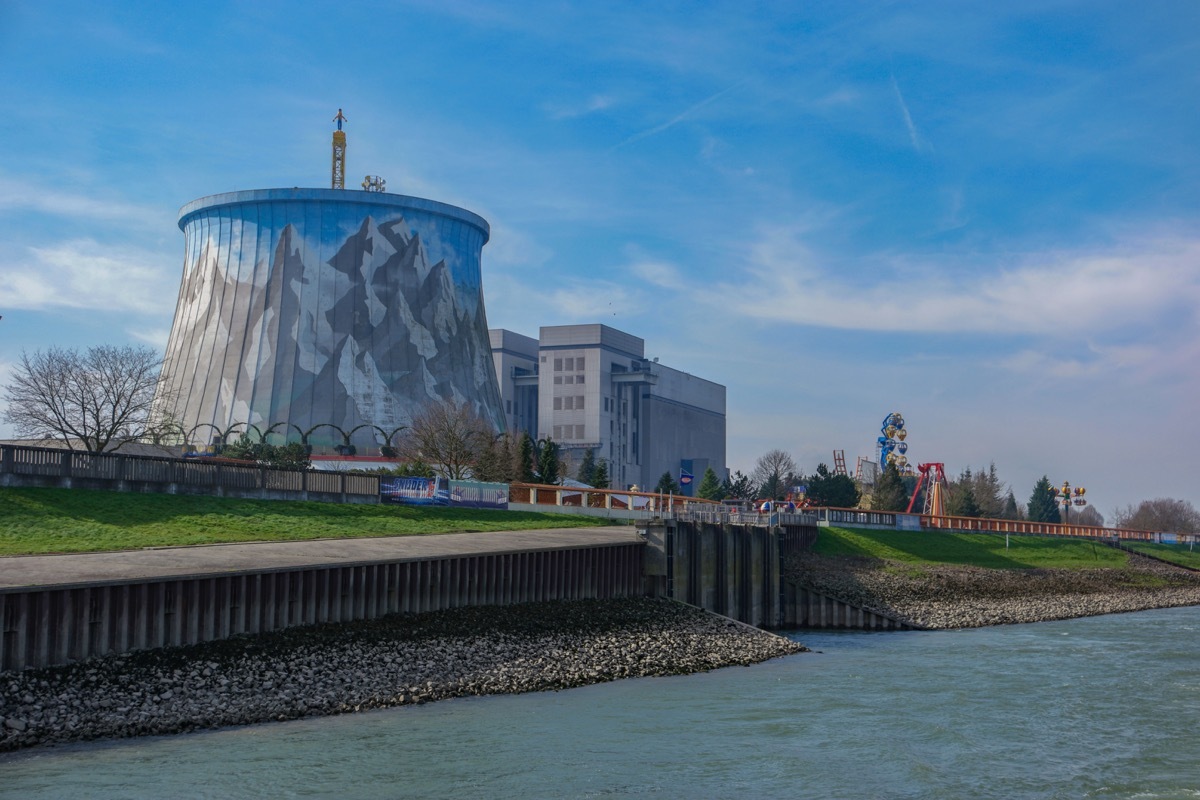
(368, 665)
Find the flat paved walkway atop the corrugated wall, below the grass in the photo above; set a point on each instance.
(175, 562)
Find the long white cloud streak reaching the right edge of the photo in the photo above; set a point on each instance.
(1083, 292)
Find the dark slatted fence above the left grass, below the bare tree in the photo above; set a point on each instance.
(22, 466)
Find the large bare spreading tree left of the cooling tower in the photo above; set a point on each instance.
(99, 400)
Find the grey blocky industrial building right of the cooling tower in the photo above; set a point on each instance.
(592, 388)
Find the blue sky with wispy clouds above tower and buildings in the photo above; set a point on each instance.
(983, 216)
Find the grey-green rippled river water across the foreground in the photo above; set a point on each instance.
(1107, 707)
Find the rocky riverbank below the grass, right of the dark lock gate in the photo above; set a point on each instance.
(962, 597)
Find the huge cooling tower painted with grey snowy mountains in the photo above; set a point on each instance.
(323, 308)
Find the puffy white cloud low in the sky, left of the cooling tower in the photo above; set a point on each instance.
(83, 274)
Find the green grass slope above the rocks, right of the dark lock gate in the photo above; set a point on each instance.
(976, 550)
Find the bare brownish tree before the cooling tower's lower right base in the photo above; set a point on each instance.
(449, 438)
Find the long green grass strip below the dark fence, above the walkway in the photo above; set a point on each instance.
(73, 521)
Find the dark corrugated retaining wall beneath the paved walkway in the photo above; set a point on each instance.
(58, 625)
